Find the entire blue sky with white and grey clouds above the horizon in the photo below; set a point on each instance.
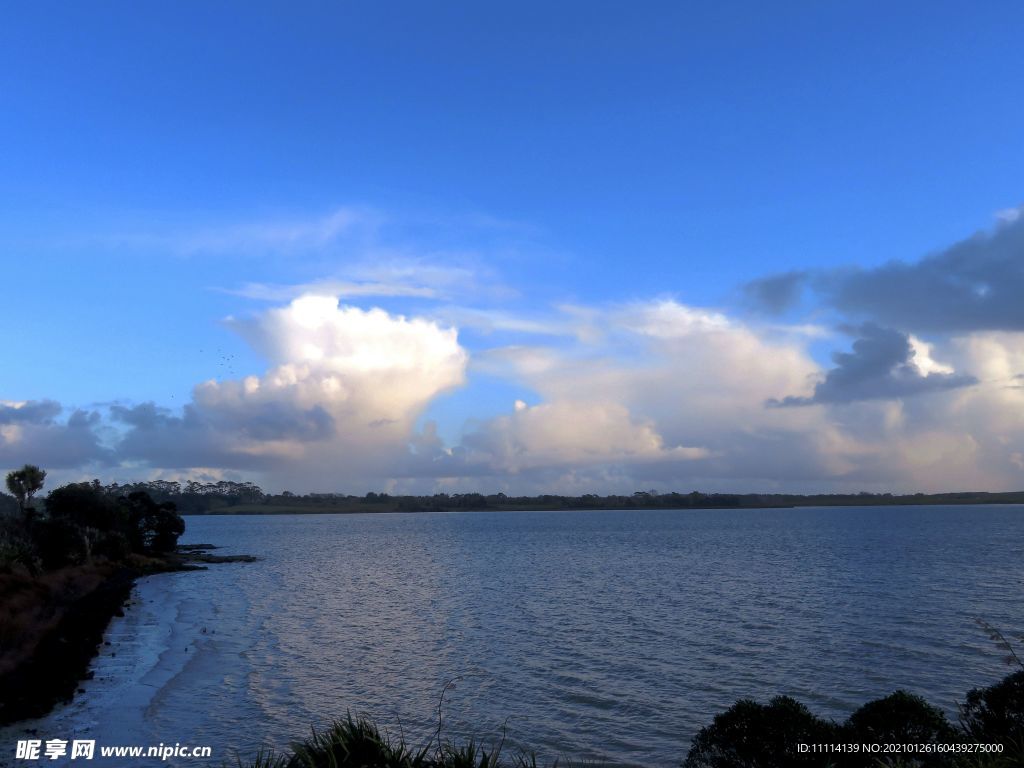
(535, 178)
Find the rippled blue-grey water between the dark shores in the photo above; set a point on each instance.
(602, 635)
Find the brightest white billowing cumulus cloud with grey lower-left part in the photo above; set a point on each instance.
(340, 398)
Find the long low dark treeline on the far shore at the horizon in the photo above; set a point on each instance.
(247, 498)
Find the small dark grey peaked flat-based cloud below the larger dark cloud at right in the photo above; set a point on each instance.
(879, 368)
